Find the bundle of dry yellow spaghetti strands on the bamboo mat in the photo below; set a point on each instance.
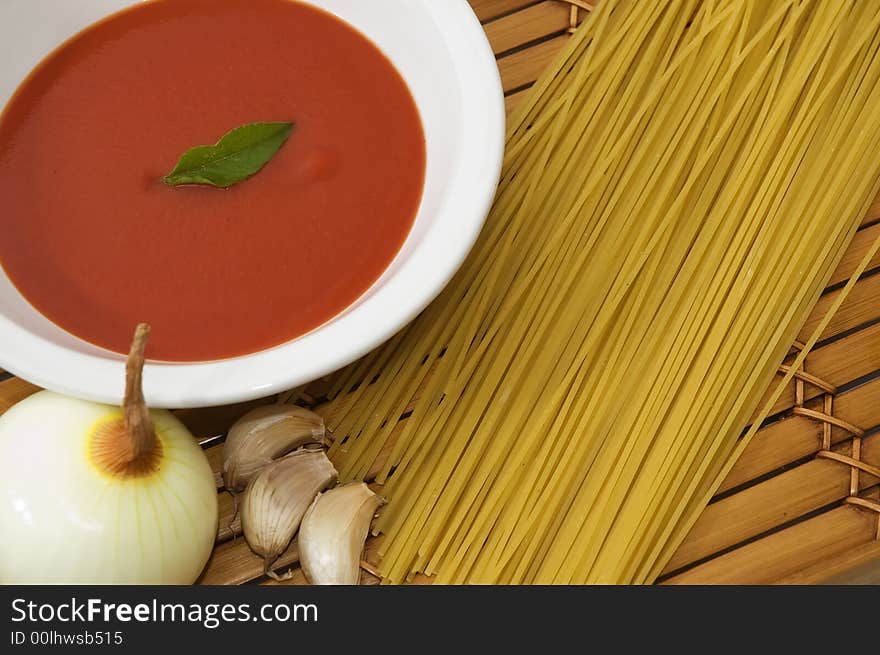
(677, 190)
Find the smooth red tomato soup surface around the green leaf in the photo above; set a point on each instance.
(95, 240)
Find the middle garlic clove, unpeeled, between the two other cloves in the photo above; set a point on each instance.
(276, 499)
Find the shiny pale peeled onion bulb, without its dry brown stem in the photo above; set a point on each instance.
(63, 520)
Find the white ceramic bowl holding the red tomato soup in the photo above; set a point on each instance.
(442, 52)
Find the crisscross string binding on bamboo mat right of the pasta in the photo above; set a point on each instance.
(826, 417)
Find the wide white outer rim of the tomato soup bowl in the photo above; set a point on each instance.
(418, 279)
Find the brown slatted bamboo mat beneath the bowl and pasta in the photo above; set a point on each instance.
(801, 505)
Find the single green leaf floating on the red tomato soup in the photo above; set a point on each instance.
(237, 156)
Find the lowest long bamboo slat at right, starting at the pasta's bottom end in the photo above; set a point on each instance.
(783, 553)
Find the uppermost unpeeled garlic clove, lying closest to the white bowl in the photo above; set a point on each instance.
(262, 435)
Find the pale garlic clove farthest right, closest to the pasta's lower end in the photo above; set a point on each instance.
(333, 531)
